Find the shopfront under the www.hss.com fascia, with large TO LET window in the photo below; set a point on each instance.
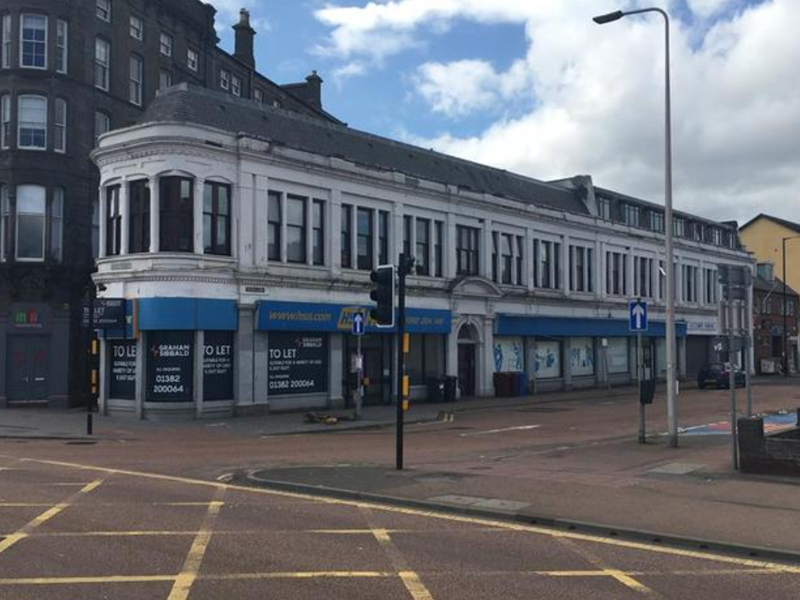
(311, 353)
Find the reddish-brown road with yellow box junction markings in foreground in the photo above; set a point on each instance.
(74, 531)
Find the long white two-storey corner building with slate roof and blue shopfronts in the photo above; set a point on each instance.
(243, 237)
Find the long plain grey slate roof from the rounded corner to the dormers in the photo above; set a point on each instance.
(281, 127)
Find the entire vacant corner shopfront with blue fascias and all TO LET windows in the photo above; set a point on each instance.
(210, 356)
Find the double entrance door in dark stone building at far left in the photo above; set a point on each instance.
(27, 369)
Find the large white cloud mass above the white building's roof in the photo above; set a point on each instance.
(598, 104)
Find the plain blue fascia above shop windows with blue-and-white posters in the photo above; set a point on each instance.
(566, 327)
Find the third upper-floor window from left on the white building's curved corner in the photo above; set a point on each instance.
(176, 198)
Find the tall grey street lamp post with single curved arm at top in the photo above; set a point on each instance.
(672, 405)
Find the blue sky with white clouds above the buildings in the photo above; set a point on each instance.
(535, 87)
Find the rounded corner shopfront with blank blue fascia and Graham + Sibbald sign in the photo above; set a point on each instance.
(177, 359)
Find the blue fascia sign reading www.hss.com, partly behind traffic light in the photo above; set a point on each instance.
(306, 316)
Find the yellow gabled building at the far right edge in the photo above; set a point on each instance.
(763, 237)
